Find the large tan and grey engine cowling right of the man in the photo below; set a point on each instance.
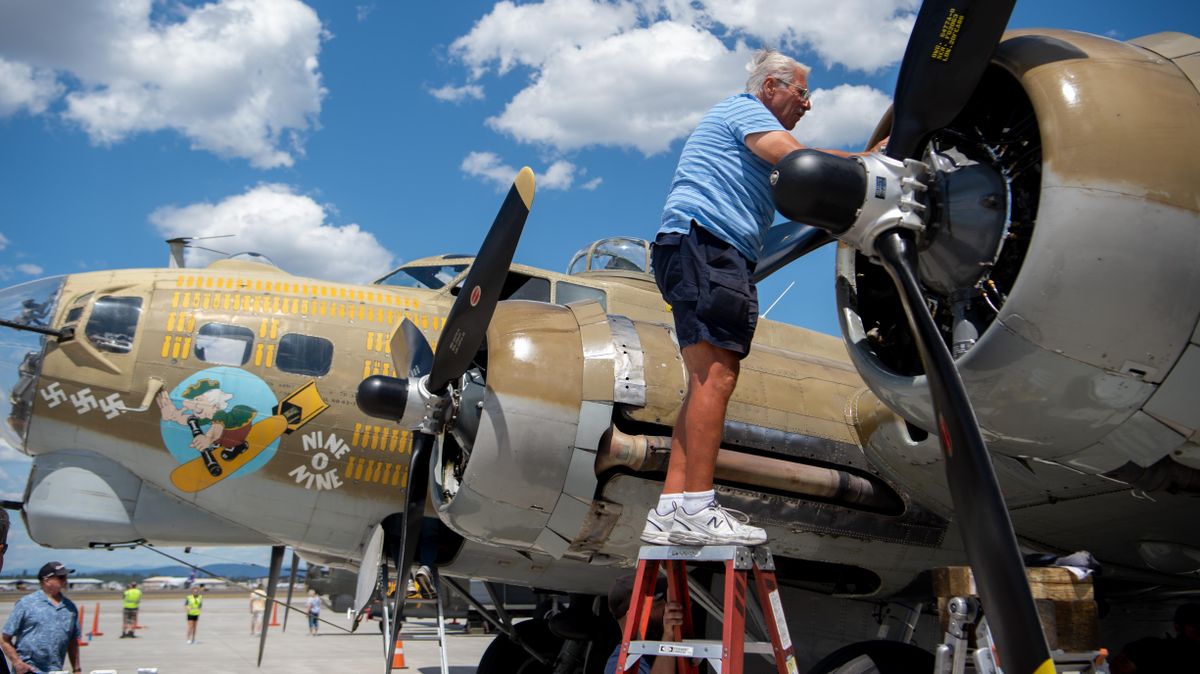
(1076, 329)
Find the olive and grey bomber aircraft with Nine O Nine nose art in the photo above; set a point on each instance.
(1051, 231)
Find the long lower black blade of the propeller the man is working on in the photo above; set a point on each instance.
(979, 504)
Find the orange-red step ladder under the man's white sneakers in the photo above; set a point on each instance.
(725, 657)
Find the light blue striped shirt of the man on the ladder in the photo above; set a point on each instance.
(721, 183)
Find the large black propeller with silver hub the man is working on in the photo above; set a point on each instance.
(947, 55)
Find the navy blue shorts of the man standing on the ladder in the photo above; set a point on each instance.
(710, 286)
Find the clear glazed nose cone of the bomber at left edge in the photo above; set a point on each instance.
(26, 312)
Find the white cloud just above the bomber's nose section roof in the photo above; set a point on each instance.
(291, 230)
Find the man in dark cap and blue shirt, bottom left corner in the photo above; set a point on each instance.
(44, 627)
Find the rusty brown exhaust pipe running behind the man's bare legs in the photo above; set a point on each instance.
(646, 454)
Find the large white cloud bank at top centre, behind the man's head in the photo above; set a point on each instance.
(641, 74)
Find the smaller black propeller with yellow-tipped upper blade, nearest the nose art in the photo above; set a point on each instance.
(393, 399)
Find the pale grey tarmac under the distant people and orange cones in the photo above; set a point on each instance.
(224, 645)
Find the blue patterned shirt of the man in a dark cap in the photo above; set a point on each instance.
(43, 631)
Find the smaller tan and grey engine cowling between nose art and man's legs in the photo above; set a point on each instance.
(529, 477)
